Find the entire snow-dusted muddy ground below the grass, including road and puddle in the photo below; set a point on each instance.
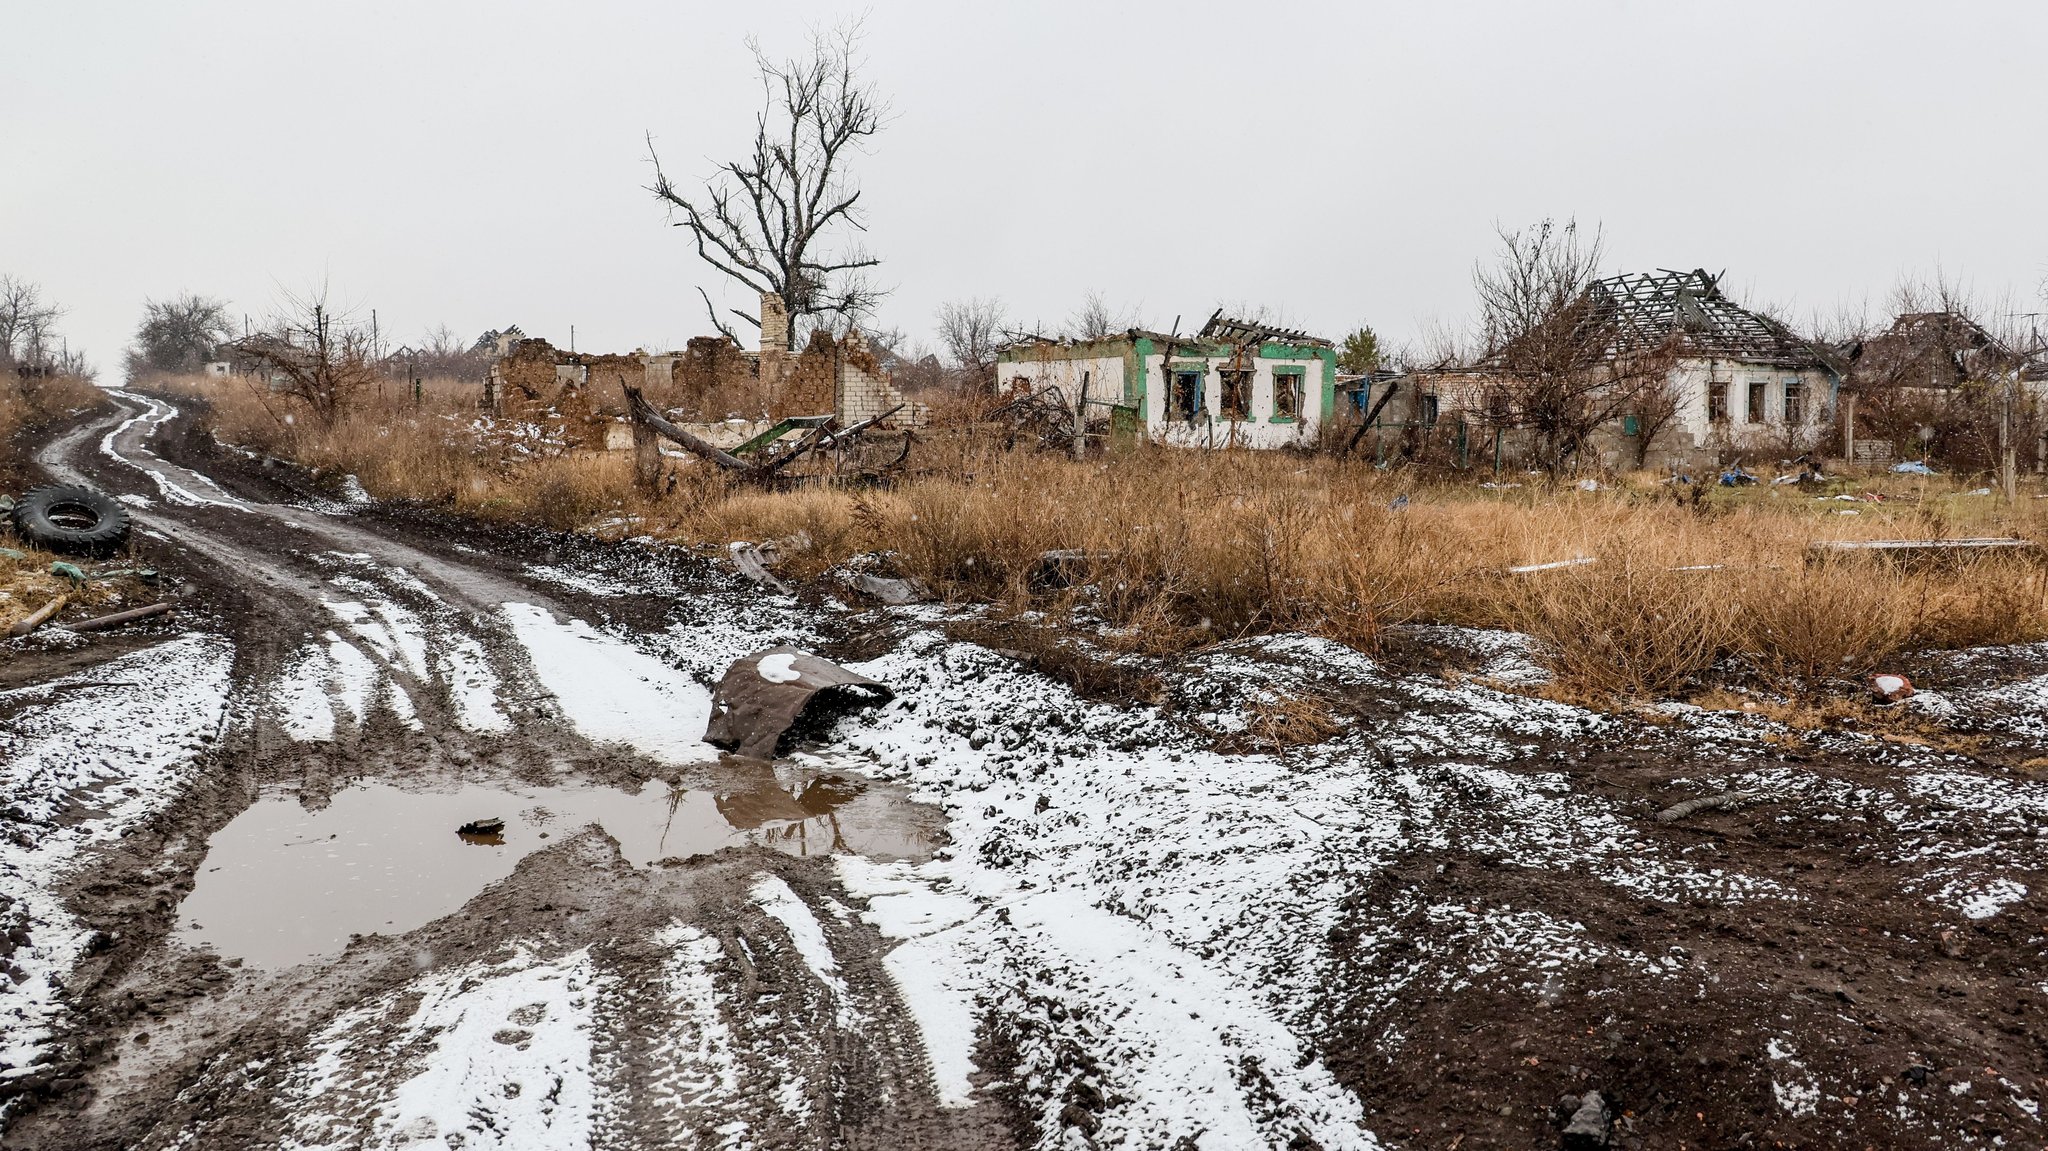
(992, 914)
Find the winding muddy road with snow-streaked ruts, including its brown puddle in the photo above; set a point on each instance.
(652, 953)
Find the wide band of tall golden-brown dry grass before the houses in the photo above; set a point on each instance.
(1183, 548)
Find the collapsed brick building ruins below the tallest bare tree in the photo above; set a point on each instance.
(712, 378)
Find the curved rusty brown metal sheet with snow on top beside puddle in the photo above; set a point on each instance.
(771, 693)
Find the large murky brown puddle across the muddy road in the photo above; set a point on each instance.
(288, 886)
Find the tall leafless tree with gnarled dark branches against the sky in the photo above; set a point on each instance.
(767, 218)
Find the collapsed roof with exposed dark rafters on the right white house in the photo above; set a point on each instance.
(1648, 310)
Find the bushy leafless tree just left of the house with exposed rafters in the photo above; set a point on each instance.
(1553, 343)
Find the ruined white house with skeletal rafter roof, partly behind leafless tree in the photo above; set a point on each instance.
(1727, 382)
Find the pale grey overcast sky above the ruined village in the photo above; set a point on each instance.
(484, 165)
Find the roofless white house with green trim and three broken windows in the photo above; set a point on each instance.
(1234, 384)
